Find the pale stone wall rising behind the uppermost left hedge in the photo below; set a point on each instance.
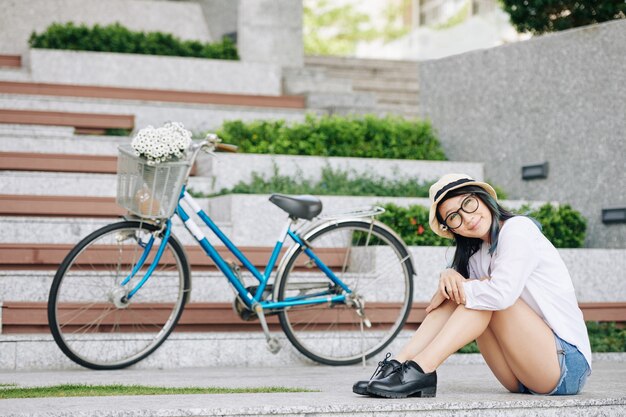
(20, 17)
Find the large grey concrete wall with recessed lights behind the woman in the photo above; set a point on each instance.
(557, 98)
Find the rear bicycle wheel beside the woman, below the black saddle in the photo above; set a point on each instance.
(377, 268)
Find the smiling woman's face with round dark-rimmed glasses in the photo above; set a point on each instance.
(471, 212)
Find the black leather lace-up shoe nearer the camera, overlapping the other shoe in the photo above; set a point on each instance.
(408, 381)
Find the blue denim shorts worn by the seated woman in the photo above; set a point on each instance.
(574, 370)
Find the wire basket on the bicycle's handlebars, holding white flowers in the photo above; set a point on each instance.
(149, 191)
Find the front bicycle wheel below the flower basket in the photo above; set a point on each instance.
(87, 313)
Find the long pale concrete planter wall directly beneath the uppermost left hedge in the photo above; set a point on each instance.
(150, 71)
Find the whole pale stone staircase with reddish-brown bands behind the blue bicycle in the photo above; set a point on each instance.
(57, 186)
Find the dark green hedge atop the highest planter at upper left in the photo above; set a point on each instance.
(117, 38)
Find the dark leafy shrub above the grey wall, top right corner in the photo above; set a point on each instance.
(540, 16)
